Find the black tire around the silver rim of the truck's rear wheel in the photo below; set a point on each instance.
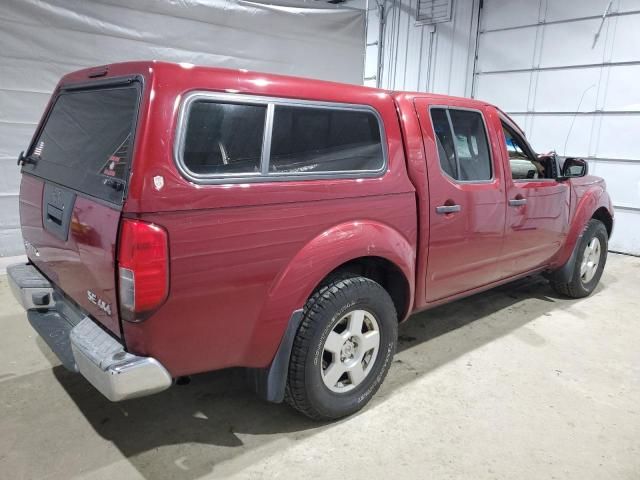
(306, 390)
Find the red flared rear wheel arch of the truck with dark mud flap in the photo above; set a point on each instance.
(374, 248)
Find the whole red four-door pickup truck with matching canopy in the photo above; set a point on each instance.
(181, 219)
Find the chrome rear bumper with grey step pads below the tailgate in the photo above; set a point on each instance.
(81, 344)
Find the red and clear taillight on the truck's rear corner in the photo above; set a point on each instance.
(143, 268)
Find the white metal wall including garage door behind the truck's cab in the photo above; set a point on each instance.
(541, 61)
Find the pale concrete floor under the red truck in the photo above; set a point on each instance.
(514, 383)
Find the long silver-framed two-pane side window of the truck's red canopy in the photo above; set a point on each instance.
(220, 138)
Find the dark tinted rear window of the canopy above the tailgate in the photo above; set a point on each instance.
(86, 141)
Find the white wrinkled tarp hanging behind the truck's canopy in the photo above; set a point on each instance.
(43, 39)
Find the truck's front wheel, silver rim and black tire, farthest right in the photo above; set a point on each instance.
(589, 262)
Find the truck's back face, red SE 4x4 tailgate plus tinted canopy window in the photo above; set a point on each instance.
(72, 190)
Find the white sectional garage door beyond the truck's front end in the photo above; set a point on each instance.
(567, 71)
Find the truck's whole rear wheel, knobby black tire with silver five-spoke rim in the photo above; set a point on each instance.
(343, 349)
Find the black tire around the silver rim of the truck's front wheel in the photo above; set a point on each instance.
(577, 287)
